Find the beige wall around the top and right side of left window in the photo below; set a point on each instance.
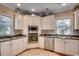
(7, 12)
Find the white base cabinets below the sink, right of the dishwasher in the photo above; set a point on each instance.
(67, 46)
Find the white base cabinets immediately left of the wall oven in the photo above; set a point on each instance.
(18, 45)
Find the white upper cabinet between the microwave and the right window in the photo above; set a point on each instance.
(48, 23)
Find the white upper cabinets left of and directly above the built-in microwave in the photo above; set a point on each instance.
(22, 21)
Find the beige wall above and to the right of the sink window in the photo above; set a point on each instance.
(67, 14)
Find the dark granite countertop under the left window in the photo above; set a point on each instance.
(12, 37)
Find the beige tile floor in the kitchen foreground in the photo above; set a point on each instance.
(38, 52)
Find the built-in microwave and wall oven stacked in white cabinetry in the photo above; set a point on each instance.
(32, 34)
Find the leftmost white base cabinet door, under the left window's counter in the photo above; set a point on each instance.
(6, 48)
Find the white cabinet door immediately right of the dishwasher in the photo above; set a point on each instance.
(59, 45)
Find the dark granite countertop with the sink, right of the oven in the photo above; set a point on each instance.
(61, 36)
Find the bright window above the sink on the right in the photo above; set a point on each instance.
(64, 26)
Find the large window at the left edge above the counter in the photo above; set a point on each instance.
(5, 25)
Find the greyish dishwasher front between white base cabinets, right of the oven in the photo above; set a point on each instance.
(49, 43)
